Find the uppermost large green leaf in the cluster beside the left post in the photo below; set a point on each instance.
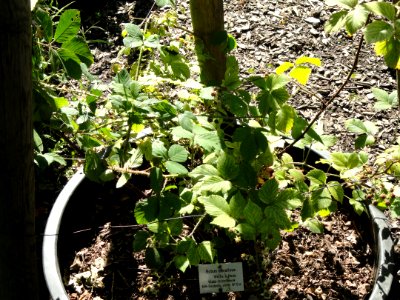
(68, 26)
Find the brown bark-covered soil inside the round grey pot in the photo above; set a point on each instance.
(335, 265)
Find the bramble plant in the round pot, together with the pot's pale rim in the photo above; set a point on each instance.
(218, 156)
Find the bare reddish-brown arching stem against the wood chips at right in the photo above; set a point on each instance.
(330, 100)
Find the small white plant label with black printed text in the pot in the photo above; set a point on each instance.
(219, 278)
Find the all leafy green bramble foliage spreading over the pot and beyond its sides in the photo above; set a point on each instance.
(216, 157)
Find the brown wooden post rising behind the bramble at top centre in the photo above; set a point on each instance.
(210, 39)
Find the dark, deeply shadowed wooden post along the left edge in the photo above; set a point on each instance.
(18, 272)
